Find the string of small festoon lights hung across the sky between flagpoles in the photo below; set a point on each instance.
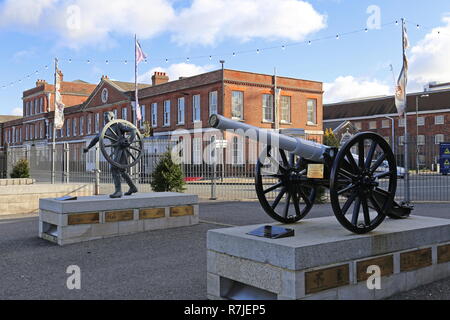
(235, 53)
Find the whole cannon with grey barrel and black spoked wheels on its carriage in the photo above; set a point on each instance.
(293, 169)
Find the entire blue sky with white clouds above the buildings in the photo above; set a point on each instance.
(321, 40)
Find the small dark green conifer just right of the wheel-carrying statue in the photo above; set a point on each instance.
(167, 176)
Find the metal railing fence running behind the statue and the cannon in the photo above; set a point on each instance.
(221, 181)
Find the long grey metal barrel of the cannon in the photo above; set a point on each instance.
(304, 148)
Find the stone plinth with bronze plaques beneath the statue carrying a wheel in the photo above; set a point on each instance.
(97, 217)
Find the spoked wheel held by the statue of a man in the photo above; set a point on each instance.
(110, 139)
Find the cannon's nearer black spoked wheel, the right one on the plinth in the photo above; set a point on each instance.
(354, 175)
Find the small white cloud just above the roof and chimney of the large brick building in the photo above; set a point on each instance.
(175, 71)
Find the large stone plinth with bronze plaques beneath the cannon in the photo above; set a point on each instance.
(325, 261)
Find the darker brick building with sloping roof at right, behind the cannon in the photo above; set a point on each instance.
(428, 115)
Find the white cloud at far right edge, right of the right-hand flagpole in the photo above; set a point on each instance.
(429, 57)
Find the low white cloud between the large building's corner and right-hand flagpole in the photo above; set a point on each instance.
(349, 87)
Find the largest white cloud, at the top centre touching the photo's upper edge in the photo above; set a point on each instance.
(207, 21)
